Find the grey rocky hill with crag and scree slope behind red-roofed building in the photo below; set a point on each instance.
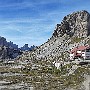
(74, 30)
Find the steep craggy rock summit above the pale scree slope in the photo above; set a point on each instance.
(76, 24)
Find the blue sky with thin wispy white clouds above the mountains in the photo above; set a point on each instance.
(34, 21)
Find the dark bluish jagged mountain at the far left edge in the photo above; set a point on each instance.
(8, 50)
